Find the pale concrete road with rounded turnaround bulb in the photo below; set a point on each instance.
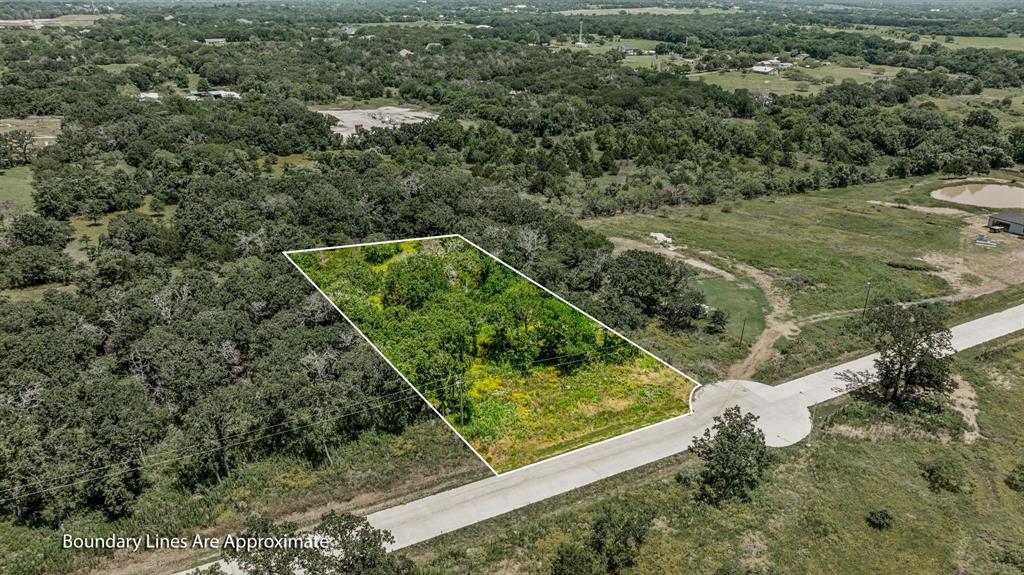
(785, 418)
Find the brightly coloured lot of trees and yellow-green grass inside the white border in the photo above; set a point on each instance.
(521, 375)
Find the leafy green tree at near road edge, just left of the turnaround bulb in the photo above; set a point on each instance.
(737, 459)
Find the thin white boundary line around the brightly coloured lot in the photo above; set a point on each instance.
(697, 384)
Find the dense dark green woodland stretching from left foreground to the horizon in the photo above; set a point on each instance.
(155, 345)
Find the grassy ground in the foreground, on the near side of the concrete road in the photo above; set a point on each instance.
(810, 517)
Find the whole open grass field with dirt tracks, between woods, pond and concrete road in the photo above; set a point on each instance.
(817, 254)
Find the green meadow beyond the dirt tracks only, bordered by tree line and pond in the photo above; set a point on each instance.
(823, 247)
